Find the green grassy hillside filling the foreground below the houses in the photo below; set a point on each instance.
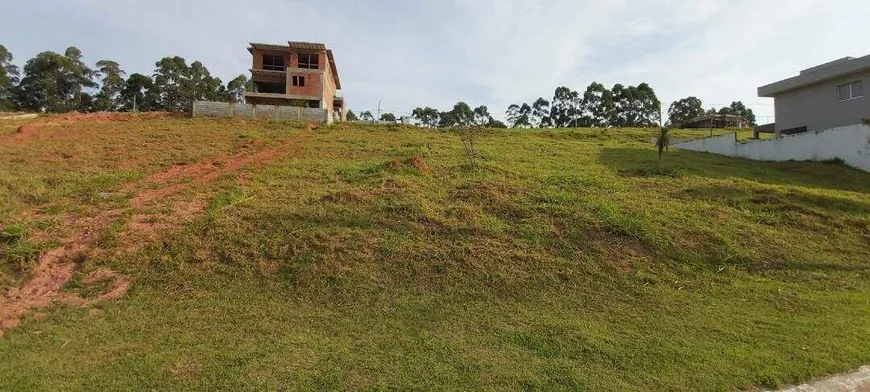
(267, 255)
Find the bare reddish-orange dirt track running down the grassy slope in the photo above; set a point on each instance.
(57, 266)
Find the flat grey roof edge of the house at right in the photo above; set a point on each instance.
(817, 74)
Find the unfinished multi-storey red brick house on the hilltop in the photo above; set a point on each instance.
(297, 74)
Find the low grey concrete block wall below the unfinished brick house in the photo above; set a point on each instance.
(224, 109)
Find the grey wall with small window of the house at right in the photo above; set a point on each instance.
(829, 104)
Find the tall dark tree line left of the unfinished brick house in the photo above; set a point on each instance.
(54, 82)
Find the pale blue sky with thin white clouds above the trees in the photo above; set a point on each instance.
(435, 53)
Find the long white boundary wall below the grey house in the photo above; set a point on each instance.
(850, 143)
